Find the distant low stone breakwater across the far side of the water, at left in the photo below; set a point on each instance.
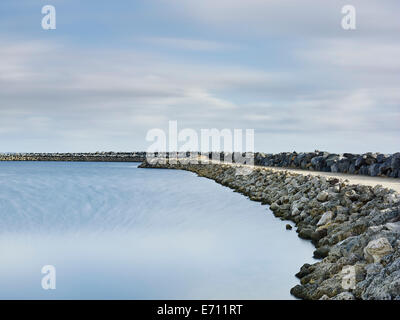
(91, 157)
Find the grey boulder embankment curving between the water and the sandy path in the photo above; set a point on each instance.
(355, 228)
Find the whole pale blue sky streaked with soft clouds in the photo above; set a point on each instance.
(113, 70)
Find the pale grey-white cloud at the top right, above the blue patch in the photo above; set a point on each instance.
(308, 18)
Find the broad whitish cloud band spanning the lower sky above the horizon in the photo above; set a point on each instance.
(94, 100)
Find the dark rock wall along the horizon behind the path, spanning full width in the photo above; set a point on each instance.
(368, 164)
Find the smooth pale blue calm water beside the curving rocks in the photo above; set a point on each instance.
(114, 231)
